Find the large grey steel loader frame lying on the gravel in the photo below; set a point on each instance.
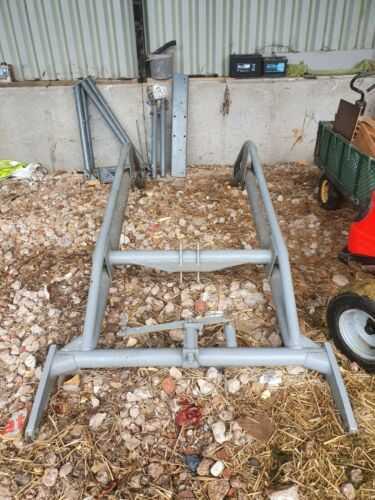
(82, 352)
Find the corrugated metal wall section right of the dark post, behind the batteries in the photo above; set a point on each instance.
(207, 31)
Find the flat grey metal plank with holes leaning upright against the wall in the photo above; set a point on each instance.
(179, 124)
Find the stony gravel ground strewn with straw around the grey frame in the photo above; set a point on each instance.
(158, 433)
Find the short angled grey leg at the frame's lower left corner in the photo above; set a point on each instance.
(45, 387)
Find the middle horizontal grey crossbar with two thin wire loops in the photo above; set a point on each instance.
(190, 260)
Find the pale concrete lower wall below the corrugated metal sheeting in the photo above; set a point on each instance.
(280, 116)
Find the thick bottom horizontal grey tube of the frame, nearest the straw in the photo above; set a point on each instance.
(221, 357)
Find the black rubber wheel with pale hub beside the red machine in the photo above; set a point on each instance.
(351, 324)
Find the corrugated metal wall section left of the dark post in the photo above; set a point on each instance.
(68, 39)
